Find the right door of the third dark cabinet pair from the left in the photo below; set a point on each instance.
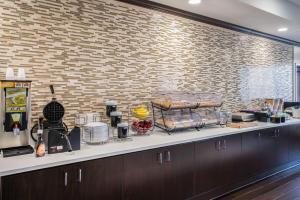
(231, 159)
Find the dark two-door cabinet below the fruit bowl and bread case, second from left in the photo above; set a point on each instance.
(165, 173)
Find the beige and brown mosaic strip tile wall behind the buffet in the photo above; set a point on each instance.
(95, 50)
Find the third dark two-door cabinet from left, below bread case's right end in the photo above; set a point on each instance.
(217, 163)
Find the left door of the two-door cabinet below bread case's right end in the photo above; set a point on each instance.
(208, 158)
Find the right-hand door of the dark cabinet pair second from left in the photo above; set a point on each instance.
(179, 171)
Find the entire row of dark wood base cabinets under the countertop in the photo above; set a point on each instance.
(198, 170)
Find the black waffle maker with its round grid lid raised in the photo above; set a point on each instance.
(55, 132)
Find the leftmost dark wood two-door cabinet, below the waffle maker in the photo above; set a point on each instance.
(98, 179)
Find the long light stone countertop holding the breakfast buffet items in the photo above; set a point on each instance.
(25, 163)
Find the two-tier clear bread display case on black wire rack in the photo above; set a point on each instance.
(178, 110)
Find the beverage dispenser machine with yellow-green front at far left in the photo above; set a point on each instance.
(15, 117)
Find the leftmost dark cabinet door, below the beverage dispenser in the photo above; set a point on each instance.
(46, 184)
